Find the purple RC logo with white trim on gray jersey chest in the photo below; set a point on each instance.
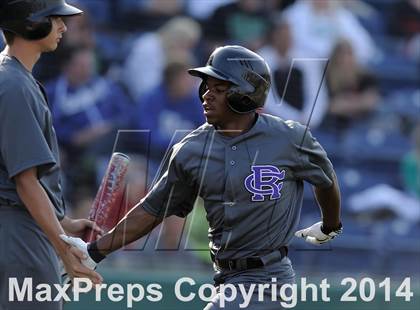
(265, 180)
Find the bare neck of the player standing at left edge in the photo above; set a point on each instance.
(27, 53)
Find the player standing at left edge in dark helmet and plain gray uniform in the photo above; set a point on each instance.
(32, 214)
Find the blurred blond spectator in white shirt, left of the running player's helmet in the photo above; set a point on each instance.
(144, 66)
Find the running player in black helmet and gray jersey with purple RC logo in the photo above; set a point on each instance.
(249, 169)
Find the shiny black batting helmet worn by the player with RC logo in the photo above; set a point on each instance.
(247, 71)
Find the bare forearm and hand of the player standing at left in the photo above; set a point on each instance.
(39, 206)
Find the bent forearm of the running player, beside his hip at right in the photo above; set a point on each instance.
(329, 202)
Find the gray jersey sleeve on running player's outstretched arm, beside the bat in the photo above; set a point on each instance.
(174, 193)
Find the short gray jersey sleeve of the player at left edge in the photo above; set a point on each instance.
(22, 142)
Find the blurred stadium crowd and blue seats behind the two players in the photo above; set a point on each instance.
(348, 69)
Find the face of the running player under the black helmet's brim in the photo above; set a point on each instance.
(216, 109)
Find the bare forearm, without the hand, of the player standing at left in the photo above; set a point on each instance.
(40, 207)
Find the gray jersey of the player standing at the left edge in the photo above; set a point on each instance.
(27, 137)
